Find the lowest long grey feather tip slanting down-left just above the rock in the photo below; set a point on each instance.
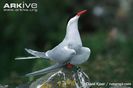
(45, 70)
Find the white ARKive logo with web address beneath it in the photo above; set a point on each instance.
(23, 6)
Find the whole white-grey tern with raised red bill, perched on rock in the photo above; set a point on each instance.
(69, 52)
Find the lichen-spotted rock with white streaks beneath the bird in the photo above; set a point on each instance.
(64, 78)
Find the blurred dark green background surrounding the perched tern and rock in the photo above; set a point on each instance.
(107, 29)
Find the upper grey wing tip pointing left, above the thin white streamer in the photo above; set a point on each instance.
(36, 53)
